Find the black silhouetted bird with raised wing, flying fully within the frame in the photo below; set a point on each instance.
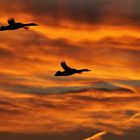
(69, 71)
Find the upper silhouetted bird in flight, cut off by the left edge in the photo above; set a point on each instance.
(16, 25)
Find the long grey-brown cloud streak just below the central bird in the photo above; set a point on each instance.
(101, 87)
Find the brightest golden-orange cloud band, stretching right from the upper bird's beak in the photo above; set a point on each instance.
(87, 33)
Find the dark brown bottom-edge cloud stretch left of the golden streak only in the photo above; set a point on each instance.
(75, 135)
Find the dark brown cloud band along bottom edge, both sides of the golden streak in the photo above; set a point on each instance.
(78, 135)
